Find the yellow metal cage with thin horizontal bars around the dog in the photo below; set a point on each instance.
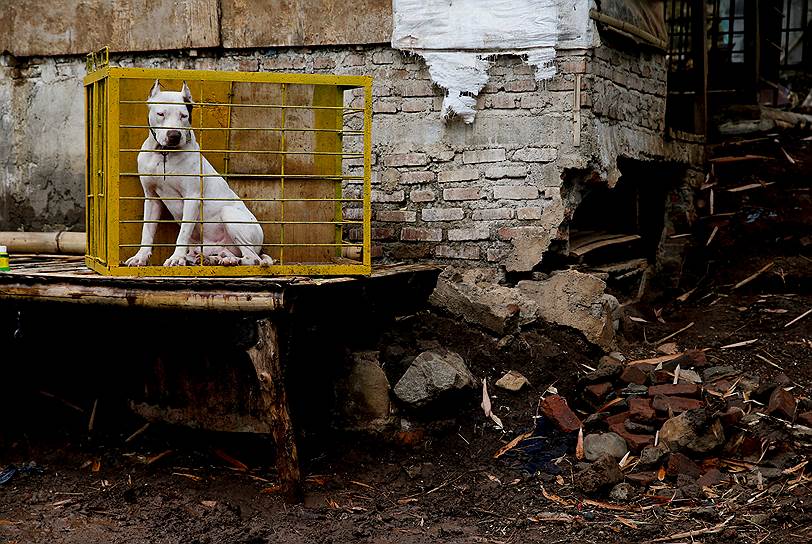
(289, 145)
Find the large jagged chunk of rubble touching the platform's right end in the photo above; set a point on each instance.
(474, 296)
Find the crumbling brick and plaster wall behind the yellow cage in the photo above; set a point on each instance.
(488, 191)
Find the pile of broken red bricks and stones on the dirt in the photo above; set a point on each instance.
(681, 427)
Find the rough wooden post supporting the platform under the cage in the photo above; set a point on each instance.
(266, 358)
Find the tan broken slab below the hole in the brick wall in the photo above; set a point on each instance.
(576, 300)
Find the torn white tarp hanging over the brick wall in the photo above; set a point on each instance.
(457, 37)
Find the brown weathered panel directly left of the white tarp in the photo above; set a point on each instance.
(255, 23)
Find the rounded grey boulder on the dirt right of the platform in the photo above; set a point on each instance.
(432, 374)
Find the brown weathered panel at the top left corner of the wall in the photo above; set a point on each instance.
(41, 27)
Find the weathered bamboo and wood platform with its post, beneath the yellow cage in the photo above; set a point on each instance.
(268, 301)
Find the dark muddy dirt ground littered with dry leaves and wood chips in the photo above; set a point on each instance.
(435, 480)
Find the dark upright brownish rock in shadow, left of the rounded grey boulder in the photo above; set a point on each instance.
(366, 391)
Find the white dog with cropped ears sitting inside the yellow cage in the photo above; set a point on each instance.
(174, 173)
